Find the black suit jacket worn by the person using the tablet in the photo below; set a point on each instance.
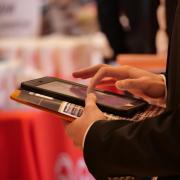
(147, 148)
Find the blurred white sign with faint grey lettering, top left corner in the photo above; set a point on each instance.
(20, 18)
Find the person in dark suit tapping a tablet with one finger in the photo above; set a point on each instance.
(146, 148)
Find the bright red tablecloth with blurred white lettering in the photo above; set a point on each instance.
(34, 146)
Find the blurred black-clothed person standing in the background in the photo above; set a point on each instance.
(130, 26)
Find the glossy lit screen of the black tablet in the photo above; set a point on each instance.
(80, 92)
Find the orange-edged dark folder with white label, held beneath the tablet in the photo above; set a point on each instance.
(69, 111)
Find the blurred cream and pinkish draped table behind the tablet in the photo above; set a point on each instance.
(23, 59)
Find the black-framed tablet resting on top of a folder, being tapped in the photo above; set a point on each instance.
(111, 103)
